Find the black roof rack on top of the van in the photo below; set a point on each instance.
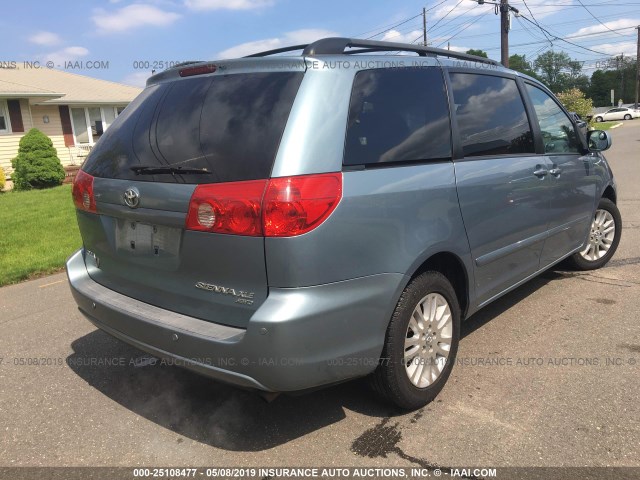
(338, 45)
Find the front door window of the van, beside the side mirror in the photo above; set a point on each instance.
(558, 133)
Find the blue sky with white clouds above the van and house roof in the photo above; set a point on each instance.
(123, 40)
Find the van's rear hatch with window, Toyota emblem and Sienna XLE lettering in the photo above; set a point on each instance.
(215, 128)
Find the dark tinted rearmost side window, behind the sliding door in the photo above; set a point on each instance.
(398, 115)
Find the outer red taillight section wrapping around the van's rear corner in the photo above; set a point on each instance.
(296, 205)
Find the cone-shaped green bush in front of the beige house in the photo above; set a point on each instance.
(37, 164)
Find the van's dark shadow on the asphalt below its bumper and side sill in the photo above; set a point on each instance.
(224, 416)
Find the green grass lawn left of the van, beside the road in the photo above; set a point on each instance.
(38, 231)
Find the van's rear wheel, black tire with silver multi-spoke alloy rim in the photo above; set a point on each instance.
(391, 379)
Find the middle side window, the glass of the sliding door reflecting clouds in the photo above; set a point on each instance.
(491, 116)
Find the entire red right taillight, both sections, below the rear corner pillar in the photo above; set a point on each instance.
(280, 207)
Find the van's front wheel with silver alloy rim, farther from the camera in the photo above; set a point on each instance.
(594, 256)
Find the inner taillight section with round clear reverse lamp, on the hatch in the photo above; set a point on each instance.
(227, 208)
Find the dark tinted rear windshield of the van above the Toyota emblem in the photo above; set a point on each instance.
(228, 127)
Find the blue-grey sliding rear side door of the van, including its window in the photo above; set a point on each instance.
(502, 183)
